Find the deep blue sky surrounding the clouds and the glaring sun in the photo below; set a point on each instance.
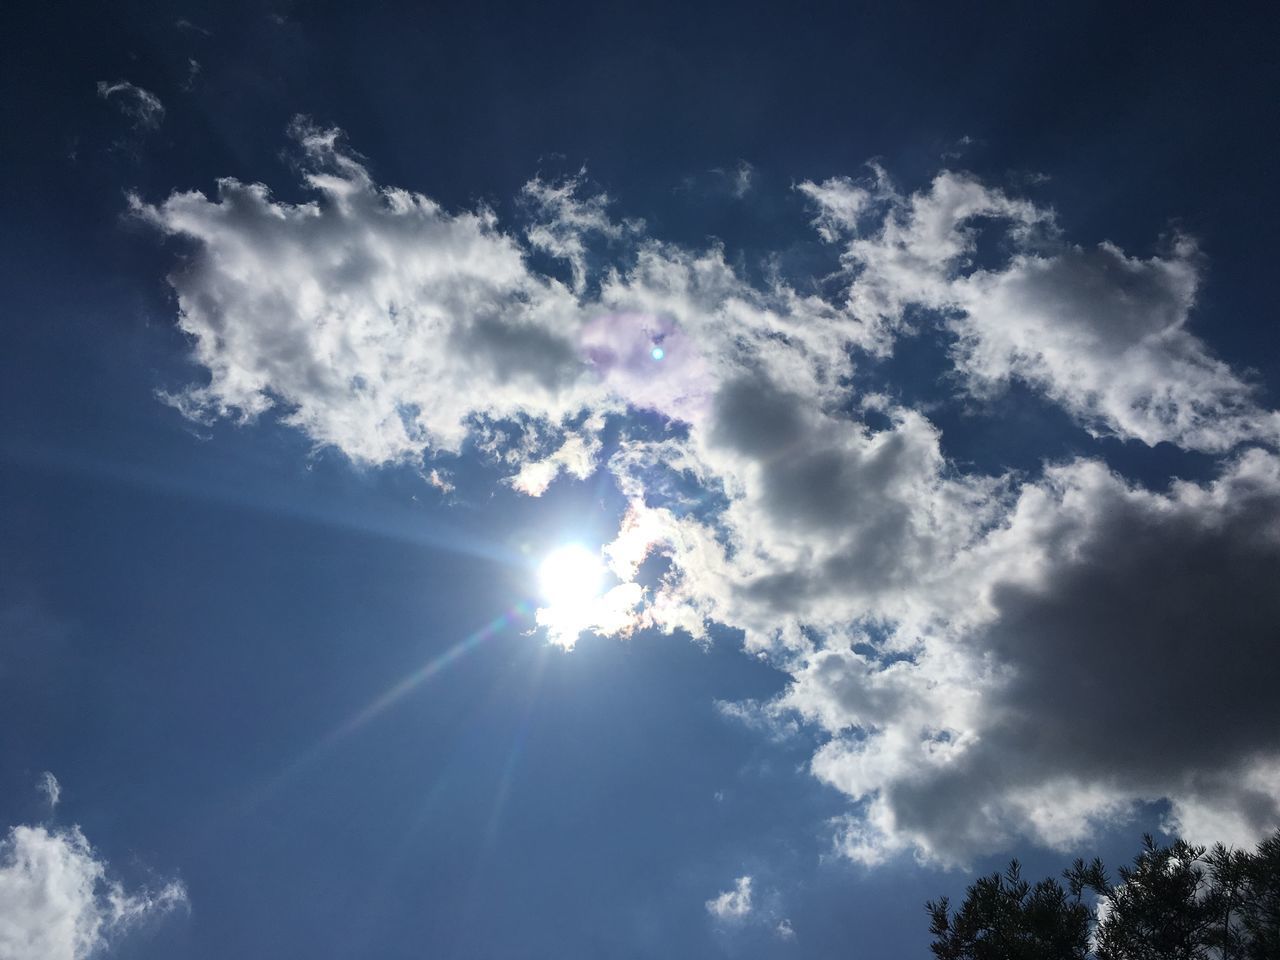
(188, 611)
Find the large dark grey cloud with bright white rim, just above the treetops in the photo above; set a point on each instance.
(1121, 651)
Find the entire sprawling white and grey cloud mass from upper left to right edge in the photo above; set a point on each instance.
(985, 653)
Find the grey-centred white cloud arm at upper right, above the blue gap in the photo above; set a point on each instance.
(1099, 332)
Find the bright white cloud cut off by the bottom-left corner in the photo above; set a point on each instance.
(57, 902)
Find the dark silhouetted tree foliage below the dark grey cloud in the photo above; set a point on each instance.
(1174, 903)
